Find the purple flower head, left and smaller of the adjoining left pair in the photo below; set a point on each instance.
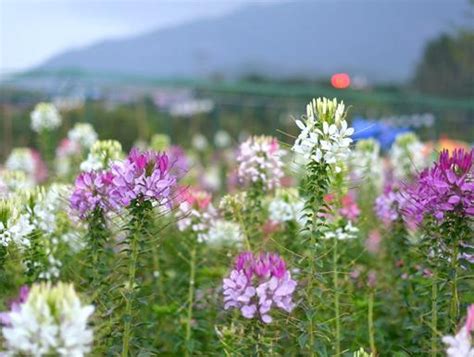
(93, 190)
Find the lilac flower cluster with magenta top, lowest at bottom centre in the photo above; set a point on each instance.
(258, 283)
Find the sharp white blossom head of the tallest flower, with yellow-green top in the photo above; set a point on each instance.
(325, 135)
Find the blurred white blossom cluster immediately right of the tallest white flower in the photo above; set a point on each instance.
(366, 163)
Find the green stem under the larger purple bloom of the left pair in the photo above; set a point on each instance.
(129, 294)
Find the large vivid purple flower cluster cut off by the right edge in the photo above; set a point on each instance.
(447, 187)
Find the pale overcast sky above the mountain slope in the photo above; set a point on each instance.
(33, 30)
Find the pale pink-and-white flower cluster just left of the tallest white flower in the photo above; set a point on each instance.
(260, 161)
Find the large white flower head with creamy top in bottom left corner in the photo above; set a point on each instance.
(50, 320)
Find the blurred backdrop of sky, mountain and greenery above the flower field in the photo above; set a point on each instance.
(133, 68)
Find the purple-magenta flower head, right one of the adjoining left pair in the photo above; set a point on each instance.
(143, 176)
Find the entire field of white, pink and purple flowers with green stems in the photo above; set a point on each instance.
(317, 245)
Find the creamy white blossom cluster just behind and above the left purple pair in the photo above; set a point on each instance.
(103, 153)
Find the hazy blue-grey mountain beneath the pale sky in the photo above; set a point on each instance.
(380, 39)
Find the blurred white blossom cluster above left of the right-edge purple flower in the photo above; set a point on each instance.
(406, 156)
